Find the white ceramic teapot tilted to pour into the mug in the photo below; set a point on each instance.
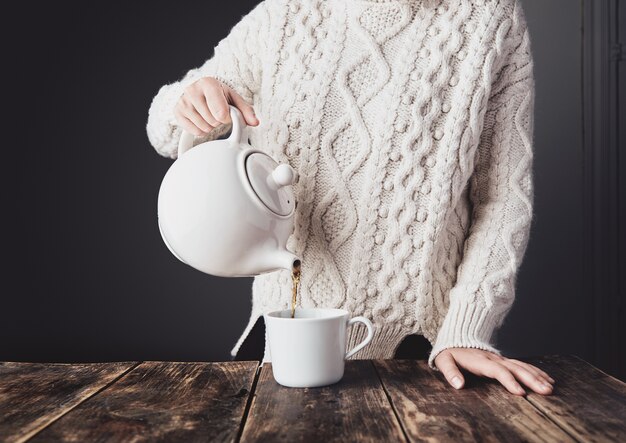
(227, 209)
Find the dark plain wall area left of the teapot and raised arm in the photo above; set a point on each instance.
(90, 277)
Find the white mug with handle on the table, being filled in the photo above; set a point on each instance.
(310, 350)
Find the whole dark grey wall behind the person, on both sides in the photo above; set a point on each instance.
(88, 277)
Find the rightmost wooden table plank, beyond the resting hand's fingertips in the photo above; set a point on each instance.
(587, 403)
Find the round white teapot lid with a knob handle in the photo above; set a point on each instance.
(277, 195)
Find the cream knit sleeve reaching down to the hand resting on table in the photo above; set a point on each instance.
(501, 193)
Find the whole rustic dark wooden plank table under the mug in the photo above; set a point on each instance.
(382, 400)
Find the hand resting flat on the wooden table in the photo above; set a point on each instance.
(484, 363)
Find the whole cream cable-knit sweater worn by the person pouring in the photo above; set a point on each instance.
(410, 124)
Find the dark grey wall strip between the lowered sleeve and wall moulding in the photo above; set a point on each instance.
(551, 311)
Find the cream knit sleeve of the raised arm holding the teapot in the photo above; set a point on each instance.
(236, 62)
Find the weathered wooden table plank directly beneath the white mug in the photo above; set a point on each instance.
(354, 409)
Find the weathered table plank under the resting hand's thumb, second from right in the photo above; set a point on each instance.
(431, 410)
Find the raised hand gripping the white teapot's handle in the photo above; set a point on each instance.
(204, 106)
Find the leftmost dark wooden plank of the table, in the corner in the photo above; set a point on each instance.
(33, 395)
